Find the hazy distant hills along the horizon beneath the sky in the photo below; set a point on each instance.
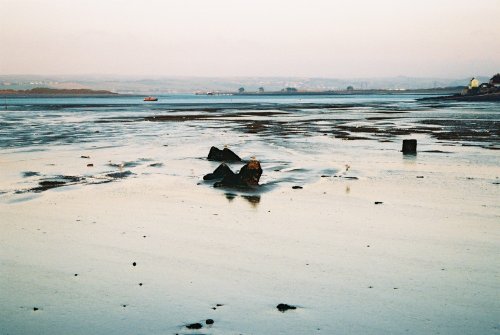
(165, 85)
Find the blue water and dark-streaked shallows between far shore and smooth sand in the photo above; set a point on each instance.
(28, 122)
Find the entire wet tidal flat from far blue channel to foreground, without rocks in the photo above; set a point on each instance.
(133, 241)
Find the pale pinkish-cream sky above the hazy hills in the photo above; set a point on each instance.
(311, 38)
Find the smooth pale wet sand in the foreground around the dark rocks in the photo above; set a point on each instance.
(391, 244)
